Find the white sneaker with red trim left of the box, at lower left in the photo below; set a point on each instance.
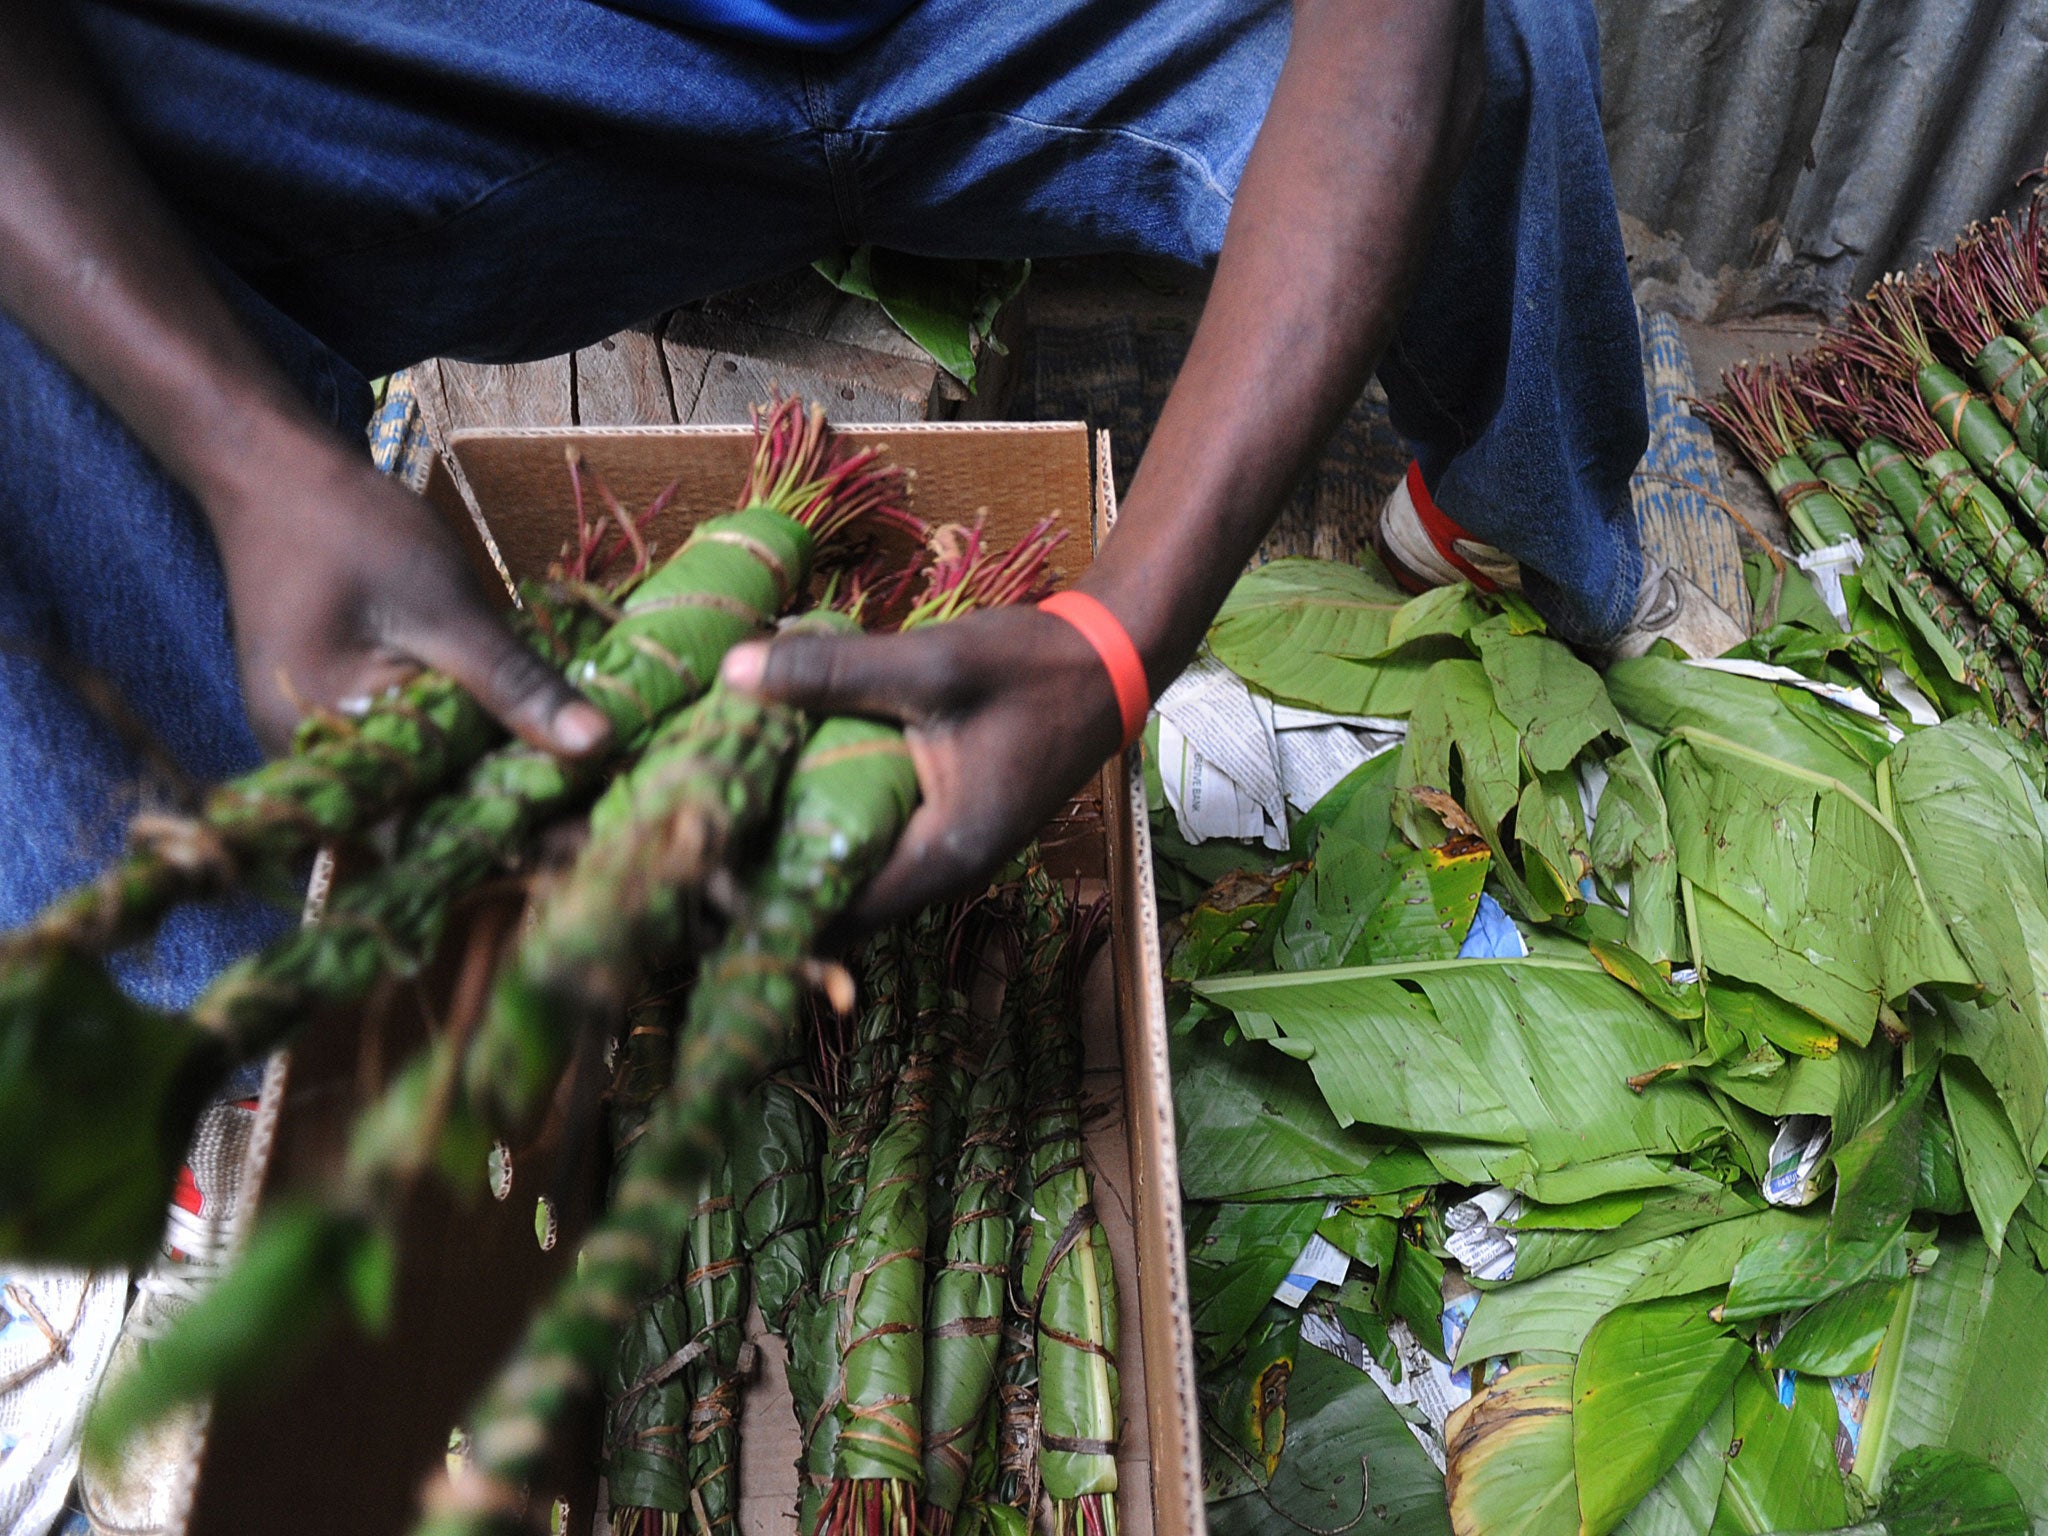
(151, 1488)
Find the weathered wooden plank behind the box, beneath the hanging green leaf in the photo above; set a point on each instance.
(722, 368)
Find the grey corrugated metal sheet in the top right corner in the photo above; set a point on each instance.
(1775, 153)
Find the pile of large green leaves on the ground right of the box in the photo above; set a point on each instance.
(1775, 906)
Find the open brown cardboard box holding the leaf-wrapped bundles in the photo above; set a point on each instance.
(345, 1441)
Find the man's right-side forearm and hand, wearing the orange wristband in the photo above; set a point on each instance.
(1361, 146)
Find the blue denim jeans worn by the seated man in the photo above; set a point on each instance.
(384, 181)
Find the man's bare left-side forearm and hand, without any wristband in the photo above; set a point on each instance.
(339, 581)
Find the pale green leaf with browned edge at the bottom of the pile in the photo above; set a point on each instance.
(1508, 1457)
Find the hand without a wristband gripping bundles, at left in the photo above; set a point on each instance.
(343, 583)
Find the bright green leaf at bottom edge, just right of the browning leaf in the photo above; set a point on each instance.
(1648, 1379)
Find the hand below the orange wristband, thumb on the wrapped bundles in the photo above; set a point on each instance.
(1005, 714)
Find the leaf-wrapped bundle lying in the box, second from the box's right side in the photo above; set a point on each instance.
(966, 1306)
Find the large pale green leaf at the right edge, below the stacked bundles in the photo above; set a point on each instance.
(1977, 824)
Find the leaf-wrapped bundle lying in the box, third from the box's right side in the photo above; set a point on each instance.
(878, 1461)
